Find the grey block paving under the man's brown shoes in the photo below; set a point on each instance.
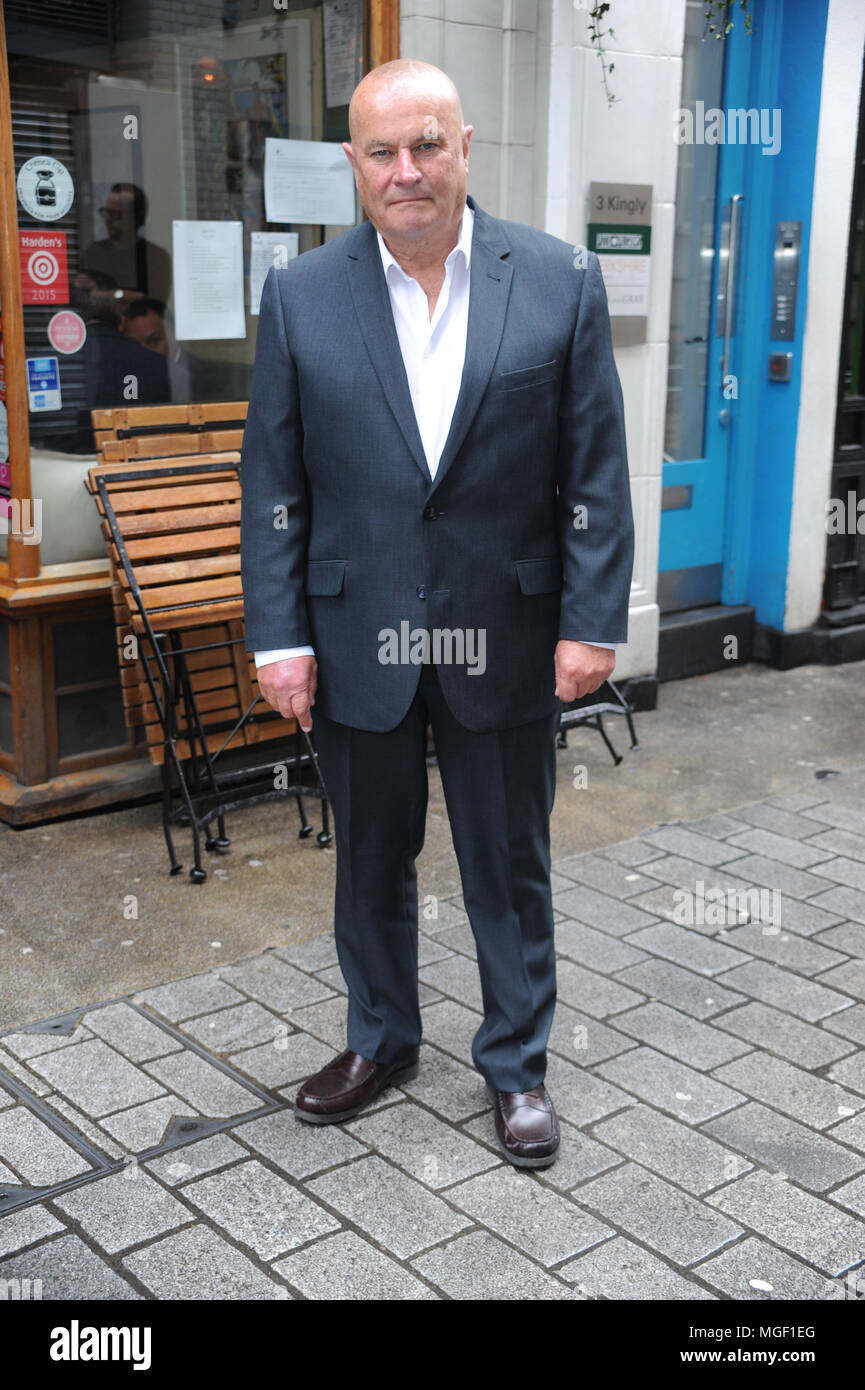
(707, 1063)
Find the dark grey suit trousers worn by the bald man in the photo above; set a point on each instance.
(500, 790)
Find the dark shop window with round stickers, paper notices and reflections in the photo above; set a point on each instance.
(165, 155)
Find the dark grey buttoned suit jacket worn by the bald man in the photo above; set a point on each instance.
(524, 537)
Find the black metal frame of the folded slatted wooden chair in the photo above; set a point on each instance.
(194, 793)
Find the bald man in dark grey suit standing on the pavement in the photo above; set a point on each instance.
(437, 423)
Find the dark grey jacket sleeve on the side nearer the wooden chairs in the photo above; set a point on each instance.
(275, 508)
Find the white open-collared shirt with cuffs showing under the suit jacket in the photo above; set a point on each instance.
(433, 352)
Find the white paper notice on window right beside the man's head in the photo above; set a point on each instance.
(308, 181)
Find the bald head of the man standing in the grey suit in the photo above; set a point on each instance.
(410, 151)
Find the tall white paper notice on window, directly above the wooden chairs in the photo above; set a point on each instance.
(209, 280)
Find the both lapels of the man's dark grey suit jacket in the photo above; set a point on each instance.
(489, 291)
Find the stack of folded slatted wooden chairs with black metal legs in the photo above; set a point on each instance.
(169, 494)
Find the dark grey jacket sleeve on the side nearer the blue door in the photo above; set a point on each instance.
(596, 521)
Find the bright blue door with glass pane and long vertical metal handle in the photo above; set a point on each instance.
(713, 227)
